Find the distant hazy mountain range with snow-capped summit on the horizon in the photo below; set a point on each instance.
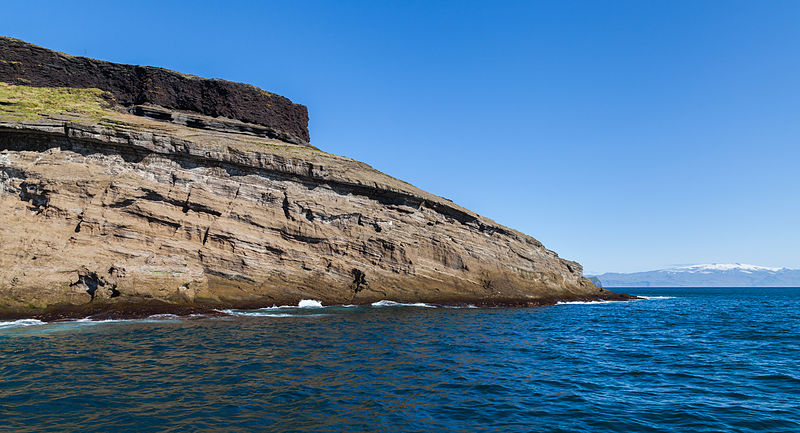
(711, 275)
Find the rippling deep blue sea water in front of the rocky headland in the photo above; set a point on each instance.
(684, 360)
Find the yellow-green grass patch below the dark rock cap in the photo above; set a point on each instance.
(29, 103)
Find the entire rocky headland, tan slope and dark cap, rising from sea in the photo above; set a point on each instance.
(129, 190)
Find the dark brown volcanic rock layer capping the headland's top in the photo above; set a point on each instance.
(27, 64)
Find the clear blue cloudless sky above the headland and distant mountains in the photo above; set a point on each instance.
(625, 135)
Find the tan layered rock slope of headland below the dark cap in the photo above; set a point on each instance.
(129, 209)
